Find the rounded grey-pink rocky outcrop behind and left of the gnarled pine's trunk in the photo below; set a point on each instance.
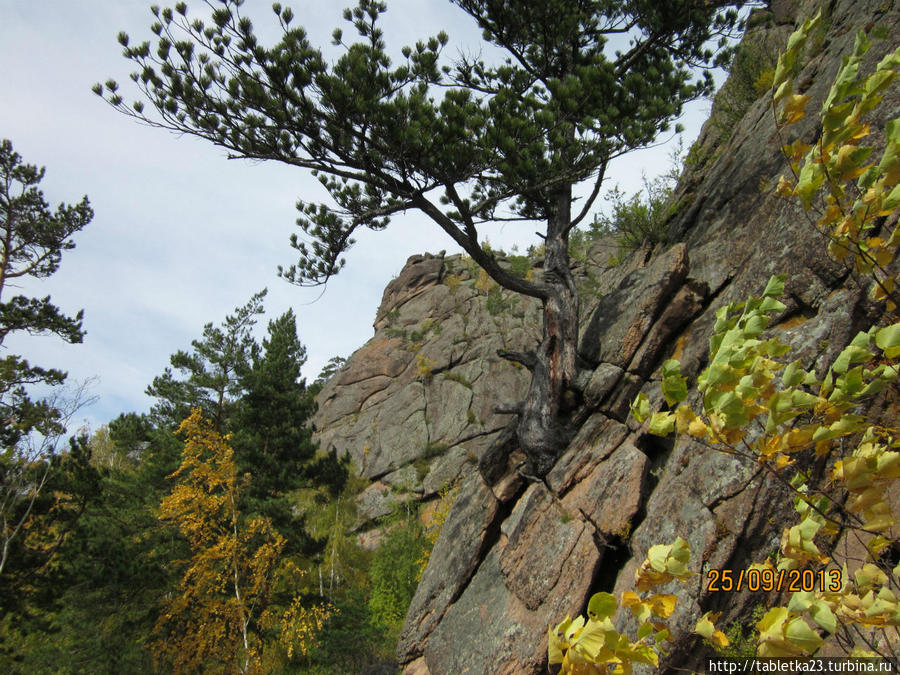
(414, 407)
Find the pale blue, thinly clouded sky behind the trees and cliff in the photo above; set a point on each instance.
(181, 235)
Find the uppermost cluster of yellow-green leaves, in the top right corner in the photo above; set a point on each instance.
(855, 192)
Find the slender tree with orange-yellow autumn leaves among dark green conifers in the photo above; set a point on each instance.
(213, 620)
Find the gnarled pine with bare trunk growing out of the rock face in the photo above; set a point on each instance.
(580, 83)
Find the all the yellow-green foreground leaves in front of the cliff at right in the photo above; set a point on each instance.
(796, 411)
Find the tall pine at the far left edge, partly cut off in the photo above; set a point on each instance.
(42, 489)
